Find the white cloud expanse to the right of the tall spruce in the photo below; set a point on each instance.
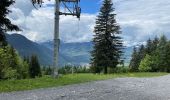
(141, 19)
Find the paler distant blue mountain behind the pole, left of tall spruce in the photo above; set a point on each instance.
(74, 53)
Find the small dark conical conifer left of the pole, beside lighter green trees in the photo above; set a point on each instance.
(34, 69)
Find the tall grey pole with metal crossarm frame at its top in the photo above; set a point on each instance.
(71, 7)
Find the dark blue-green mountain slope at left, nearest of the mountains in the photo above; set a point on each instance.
(26, 48)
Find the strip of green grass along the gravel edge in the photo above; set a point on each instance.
(46, 81)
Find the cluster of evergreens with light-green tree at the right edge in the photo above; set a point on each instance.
(153, 57)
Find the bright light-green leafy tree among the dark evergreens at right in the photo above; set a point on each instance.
(146, 63)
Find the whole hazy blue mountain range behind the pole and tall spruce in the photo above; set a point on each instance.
(70, 53)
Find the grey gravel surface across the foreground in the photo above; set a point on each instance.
(157, 88)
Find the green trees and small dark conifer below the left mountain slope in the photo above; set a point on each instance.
(12, 66)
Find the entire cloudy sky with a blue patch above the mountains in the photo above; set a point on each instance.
(138, 19)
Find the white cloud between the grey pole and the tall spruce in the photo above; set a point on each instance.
(73, 30)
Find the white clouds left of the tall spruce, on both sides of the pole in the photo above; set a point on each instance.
(38, 25)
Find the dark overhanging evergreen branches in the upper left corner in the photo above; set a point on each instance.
(5, 23)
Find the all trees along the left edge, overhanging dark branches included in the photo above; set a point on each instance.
(12, 66)
